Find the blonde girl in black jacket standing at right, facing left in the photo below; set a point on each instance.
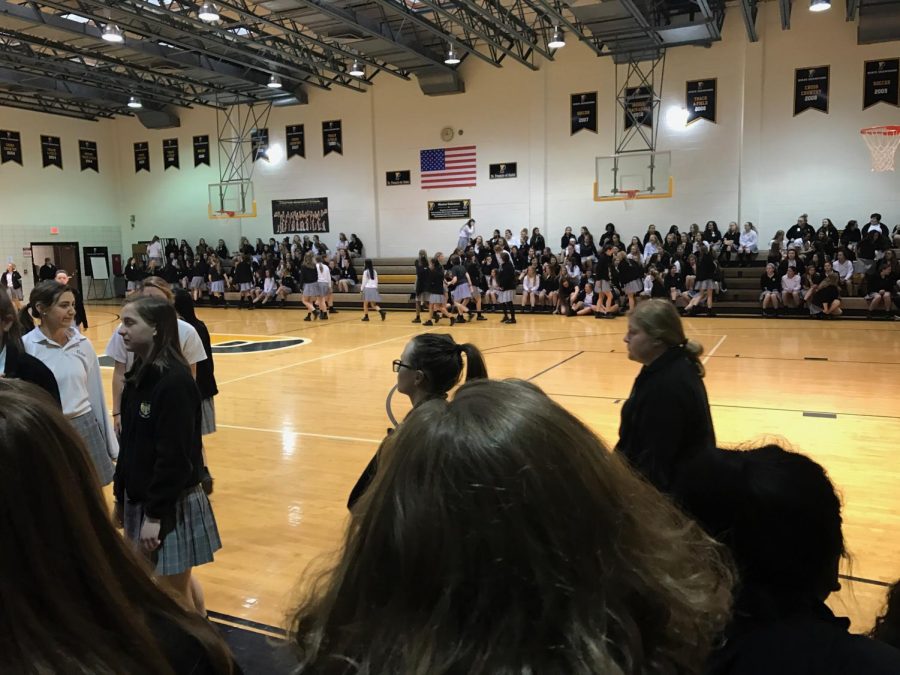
(666, 420)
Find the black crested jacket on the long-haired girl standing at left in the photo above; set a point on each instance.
(160, 448)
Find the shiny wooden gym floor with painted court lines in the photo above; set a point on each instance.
(298, 424)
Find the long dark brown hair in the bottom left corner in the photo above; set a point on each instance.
(74, 596)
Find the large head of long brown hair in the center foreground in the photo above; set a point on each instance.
(500, 535)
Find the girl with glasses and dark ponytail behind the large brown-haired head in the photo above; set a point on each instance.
(429, 367)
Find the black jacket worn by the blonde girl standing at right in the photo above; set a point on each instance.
(666, 420)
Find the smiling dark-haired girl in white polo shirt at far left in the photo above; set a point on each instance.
(73, 361)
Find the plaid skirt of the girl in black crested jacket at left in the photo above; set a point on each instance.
(193, 541)
